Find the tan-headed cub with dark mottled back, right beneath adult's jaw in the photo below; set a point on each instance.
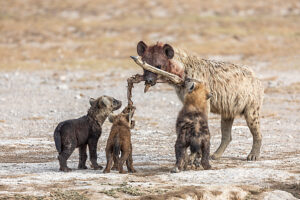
(192, 127)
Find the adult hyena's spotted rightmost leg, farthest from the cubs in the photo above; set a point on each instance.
(252, 119)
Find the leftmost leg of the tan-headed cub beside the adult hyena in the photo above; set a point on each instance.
(180, 152)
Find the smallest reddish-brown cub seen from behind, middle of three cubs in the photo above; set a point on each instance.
(119, 140)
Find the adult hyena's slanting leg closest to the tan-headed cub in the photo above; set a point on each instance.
(226, 126)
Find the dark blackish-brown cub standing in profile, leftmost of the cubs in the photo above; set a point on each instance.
(82, 132)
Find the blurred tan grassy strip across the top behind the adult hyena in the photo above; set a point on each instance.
(71, 34)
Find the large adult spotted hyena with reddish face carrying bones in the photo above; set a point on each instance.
(235, 89)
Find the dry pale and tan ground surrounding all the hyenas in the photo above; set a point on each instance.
(55, 55)
